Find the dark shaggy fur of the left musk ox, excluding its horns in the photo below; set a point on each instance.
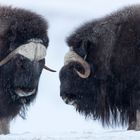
(17, 26)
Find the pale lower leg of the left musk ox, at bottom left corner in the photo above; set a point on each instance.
(4, 126)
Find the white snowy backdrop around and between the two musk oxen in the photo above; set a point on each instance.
(49, 118)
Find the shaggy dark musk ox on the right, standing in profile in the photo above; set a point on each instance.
(101, 73)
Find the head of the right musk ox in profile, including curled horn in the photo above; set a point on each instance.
(79, 85)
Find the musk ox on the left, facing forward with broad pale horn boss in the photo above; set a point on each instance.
(23, 44)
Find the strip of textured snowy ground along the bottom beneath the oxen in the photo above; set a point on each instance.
(76, 135)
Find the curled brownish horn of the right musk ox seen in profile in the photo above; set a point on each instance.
(71, 56)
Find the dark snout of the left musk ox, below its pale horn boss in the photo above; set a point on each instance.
(27, 85)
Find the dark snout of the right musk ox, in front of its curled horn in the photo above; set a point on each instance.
(71, 84)
